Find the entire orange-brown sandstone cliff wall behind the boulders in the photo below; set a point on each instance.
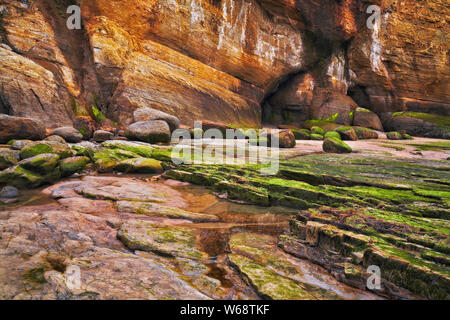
(223, 60)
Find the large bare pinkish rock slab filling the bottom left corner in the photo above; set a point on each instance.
(38, 245)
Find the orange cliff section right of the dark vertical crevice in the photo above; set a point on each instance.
(403, 63)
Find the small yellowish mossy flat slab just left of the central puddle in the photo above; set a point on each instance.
(161, 238)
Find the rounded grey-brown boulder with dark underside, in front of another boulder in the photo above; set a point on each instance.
(153, 131)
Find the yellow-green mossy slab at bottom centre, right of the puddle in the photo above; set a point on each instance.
(277, 275)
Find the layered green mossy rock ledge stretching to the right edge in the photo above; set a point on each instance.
(355, 211)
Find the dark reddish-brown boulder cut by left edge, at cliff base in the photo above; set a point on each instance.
(20, 128)
